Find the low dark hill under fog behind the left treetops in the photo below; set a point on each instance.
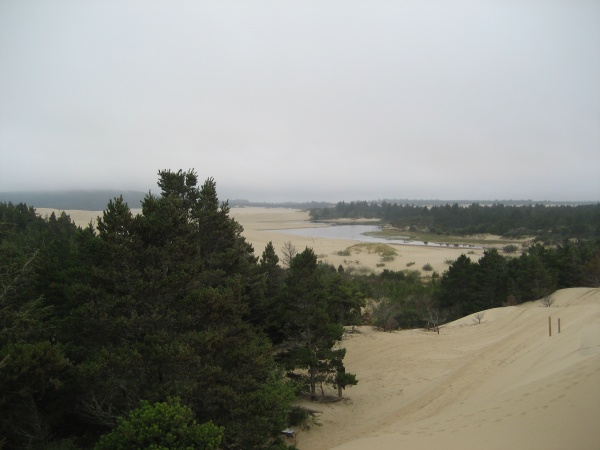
(83, 200)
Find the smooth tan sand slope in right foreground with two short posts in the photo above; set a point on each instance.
(501, 384)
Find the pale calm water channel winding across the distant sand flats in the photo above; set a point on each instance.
(357, 233)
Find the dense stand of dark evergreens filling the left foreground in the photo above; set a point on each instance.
(167, 313)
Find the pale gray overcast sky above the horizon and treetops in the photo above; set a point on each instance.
(304, 100)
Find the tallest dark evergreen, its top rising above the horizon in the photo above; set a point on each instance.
(167, 302)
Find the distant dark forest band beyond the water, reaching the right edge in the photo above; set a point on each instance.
(554, 222)
